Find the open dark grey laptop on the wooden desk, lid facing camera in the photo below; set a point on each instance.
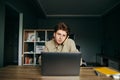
(60, 64)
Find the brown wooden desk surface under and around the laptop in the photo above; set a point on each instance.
(33, 73)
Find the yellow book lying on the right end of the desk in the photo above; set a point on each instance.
(106, 70)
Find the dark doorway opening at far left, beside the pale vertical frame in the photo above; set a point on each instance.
(11, 36)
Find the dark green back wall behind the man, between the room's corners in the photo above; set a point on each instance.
(87, 30)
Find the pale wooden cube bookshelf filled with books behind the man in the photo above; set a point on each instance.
(33, 44)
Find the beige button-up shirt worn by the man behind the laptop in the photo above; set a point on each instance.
(67, 46)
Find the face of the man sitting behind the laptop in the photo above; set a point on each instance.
(60, 36)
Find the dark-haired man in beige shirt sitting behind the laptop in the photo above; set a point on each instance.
(61, 41)
